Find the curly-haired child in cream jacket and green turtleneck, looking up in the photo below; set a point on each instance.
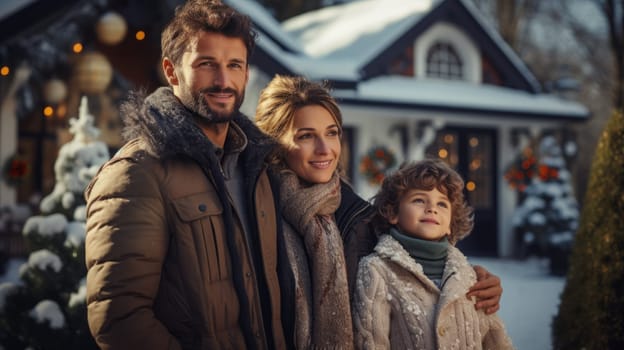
(410, 292)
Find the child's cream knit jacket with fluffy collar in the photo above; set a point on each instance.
(397, 307)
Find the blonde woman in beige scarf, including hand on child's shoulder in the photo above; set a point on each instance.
(326, 228)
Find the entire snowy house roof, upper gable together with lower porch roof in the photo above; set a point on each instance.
(363, 36)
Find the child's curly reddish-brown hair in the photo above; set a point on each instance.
(424, 175)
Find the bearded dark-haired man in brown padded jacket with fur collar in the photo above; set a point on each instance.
(181, 242)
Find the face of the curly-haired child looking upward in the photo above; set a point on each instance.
(424, 214)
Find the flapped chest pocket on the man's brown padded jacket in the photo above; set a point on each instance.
(202, 234)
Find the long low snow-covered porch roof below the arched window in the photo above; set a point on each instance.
(462, 95)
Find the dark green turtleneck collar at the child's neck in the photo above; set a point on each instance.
(430, 254)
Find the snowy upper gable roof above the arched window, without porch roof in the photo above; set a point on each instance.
(369, 33)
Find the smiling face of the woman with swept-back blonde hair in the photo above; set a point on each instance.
(314, 150)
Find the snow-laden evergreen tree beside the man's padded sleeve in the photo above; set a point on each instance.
(46, 308)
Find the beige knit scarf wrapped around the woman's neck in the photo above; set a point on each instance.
(309, 210)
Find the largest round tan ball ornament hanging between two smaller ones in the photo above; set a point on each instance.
(93, 73)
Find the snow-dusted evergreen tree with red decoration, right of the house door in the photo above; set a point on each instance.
(548, 215)
